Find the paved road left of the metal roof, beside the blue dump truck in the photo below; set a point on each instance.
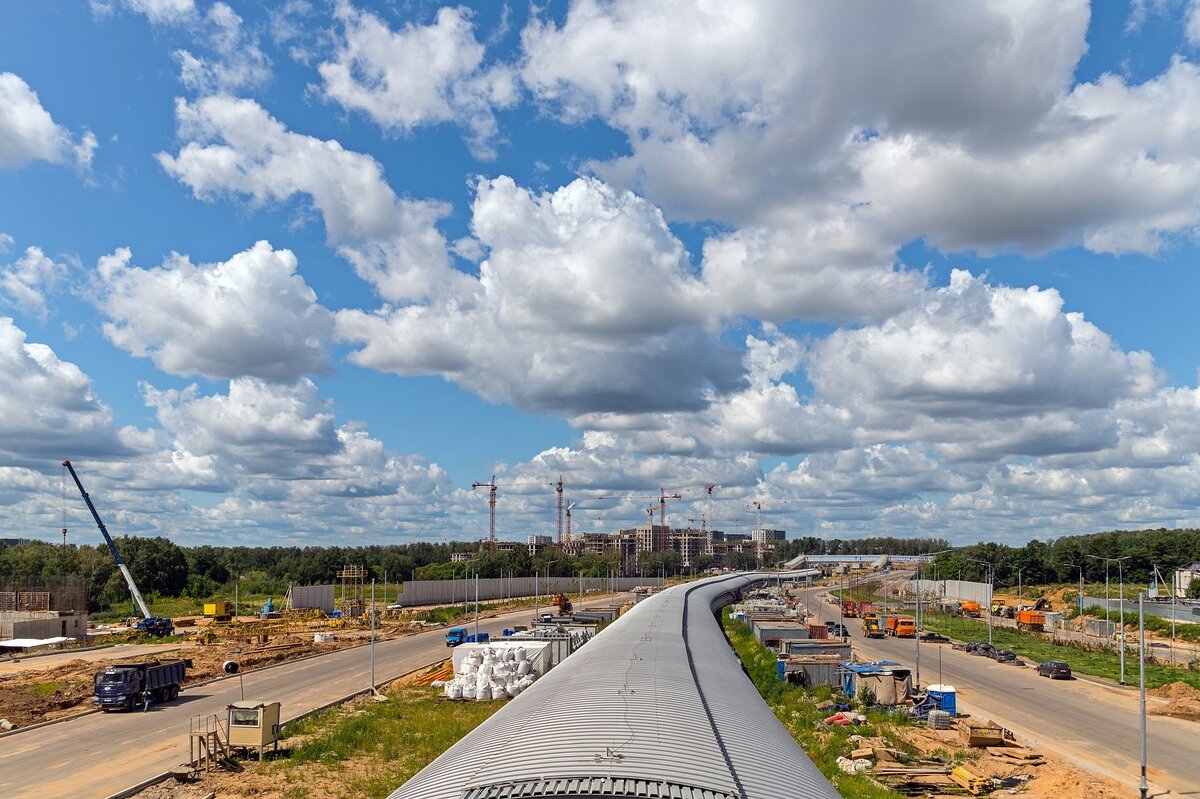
(105, 753)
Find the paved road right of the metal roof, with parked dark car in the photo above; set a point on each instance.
(1089, 724)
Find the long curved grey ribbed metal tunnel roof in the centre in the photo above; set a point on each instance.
(656, 706)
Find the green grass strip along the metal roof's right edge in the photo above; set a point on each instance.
(797, 710)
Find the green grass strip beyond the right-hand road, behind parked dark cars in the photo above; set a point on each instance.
(1084, 659)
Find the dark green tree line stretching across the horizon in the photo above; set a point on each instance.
(164, 568)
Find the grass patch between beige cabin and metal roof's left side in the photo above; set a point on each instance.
(375, 748)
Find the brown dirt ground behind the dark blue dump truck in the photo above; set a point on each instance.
(31, 698)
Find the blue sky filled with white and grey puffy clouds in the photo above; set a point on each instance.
(788, 250)
